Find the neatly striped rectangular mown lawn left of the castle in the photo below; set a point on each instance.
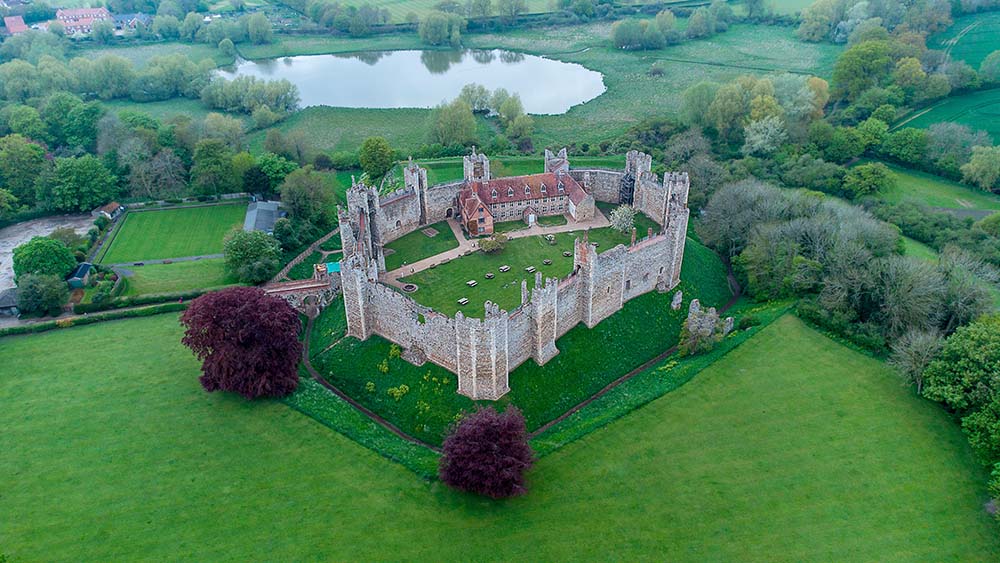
(173, 233)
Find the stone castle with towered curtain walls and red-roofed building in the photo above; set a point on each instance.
(483, 352)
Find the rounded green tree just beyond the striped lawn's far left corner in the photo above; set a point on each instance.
(81, 184)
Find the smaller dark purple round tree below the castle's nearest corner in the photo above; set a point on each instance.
(487, 453)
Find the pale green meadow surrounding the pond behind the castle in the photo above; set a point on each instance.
(631, 96)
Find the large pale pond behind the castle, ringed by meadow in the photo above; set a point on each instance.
(424, 79)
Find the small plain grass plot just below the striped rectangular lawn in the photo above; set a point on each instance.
(179, 276)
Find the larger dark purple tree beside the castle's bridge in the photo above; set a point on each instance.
(247, 342)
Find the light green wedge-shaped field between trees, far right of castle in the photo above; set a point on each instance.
(935, 191)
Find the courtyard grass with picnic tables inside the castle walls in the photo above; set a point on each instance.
(442, 286)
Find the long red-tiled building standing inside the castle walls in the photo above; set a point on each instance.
(484, 200)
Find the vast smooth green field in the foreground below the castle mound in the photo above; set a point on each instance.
(791, 448)
